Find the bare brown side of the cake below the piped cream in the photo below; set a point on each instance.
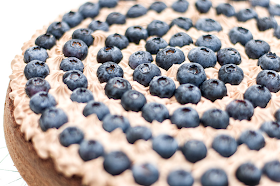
(34, 170)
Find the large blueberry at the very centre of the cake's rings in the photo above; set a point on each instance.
(192, 73)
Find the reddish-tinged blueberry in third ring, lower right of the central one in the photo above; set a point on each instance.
(240, 109)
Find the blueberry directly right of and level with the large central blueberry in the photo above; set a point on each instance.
(231, 73)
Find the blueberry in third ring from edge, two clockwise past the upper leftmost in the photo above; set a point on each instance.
(135, 33)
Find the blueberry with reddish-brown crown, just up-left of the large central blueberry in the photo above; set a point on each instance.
(168, 56)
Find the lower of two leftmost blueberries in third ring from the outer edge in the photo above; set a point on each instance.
(108, 70)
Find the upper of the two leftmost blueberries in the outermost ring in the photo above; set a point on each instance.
(35, 53)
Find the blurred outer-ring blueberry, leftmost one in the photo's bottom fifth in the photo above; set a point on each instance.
(90, 150)
